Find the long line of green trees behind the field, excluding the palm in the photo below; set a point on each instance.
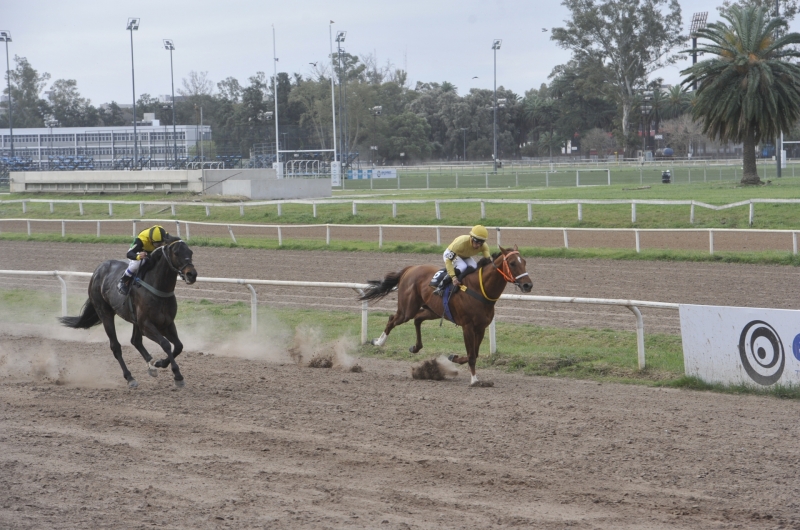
(599, 103)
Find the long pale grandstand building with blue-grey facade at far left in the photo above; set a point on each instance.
(56, 148)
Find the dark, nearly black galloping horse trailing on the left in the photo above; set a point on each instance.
(151, 308)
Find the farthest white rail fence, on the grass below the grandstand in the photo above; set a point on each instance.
(437, 204)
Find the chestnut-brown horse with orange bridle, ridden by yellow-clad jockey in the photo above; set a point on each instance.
(472, 307)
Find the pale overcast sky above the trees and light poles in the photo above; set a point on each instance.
(433, 40)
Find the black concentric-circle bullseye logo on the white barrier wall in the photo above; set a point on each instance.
(762, 352)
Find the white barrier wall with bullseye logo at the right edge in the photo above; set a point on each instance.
(741, 345)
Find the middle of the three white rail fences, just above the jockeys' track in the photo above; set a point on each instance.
(182, 229)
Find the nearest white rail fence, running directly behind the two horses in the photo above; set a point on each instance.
(632, 305)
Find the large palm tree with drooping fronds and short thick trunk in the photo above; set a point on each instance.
(749, 91)
